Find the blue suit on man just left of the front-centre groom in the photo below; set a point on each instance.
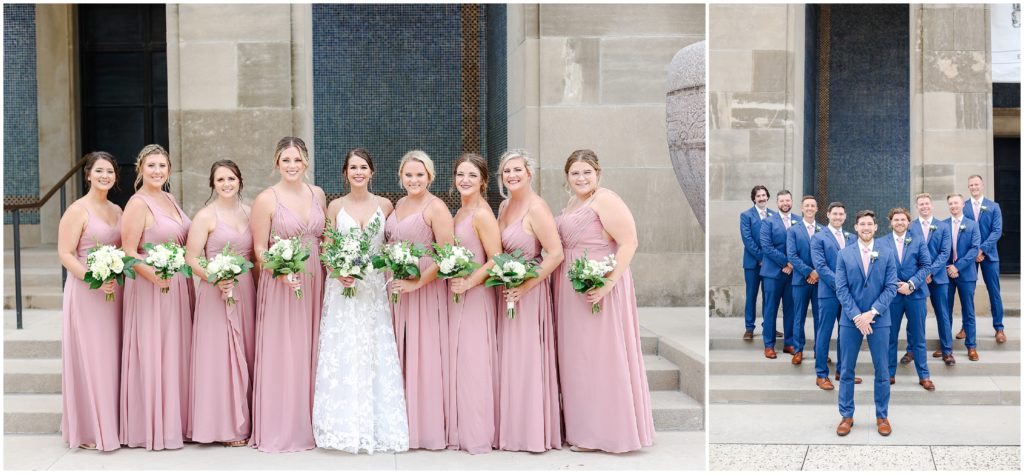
(825, 250)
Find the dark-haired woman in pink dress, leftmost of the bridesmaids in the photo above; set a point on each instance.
(92, 355)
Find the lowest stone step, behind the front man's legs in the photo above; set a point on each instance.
(778, 390)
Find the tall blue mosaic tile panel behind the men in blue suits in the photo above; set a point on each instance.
(869, 121)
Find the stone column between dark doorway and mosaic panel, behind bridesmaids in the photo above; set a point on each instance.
(235, 89)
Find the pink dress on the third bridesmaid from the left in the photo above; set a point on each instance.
(224, 349)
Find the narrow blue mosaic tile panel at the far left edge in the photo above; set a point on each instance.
(21, 136)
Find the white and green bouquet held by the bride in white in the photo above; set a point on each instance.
(349, 253)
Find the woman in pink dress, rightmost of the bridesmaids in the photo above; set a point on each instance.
(606, 401)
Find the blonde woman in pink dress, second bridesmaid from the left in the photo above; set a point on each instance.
(157, 326)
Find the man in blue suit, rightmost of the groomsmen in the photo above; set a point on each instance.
(990, 219)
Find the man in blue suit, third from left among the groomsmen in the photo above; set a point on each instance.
(805, 278)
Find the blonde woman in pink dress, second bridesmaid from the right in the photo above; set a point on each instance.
(529, 415)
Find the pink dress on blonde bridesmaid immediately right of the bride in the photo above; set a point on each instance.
(421, 333)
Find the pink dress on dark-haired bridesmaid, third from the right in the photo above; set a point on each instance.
(473, 359)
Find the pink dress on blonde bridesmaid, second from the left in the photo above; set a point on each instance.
(157, 347)
